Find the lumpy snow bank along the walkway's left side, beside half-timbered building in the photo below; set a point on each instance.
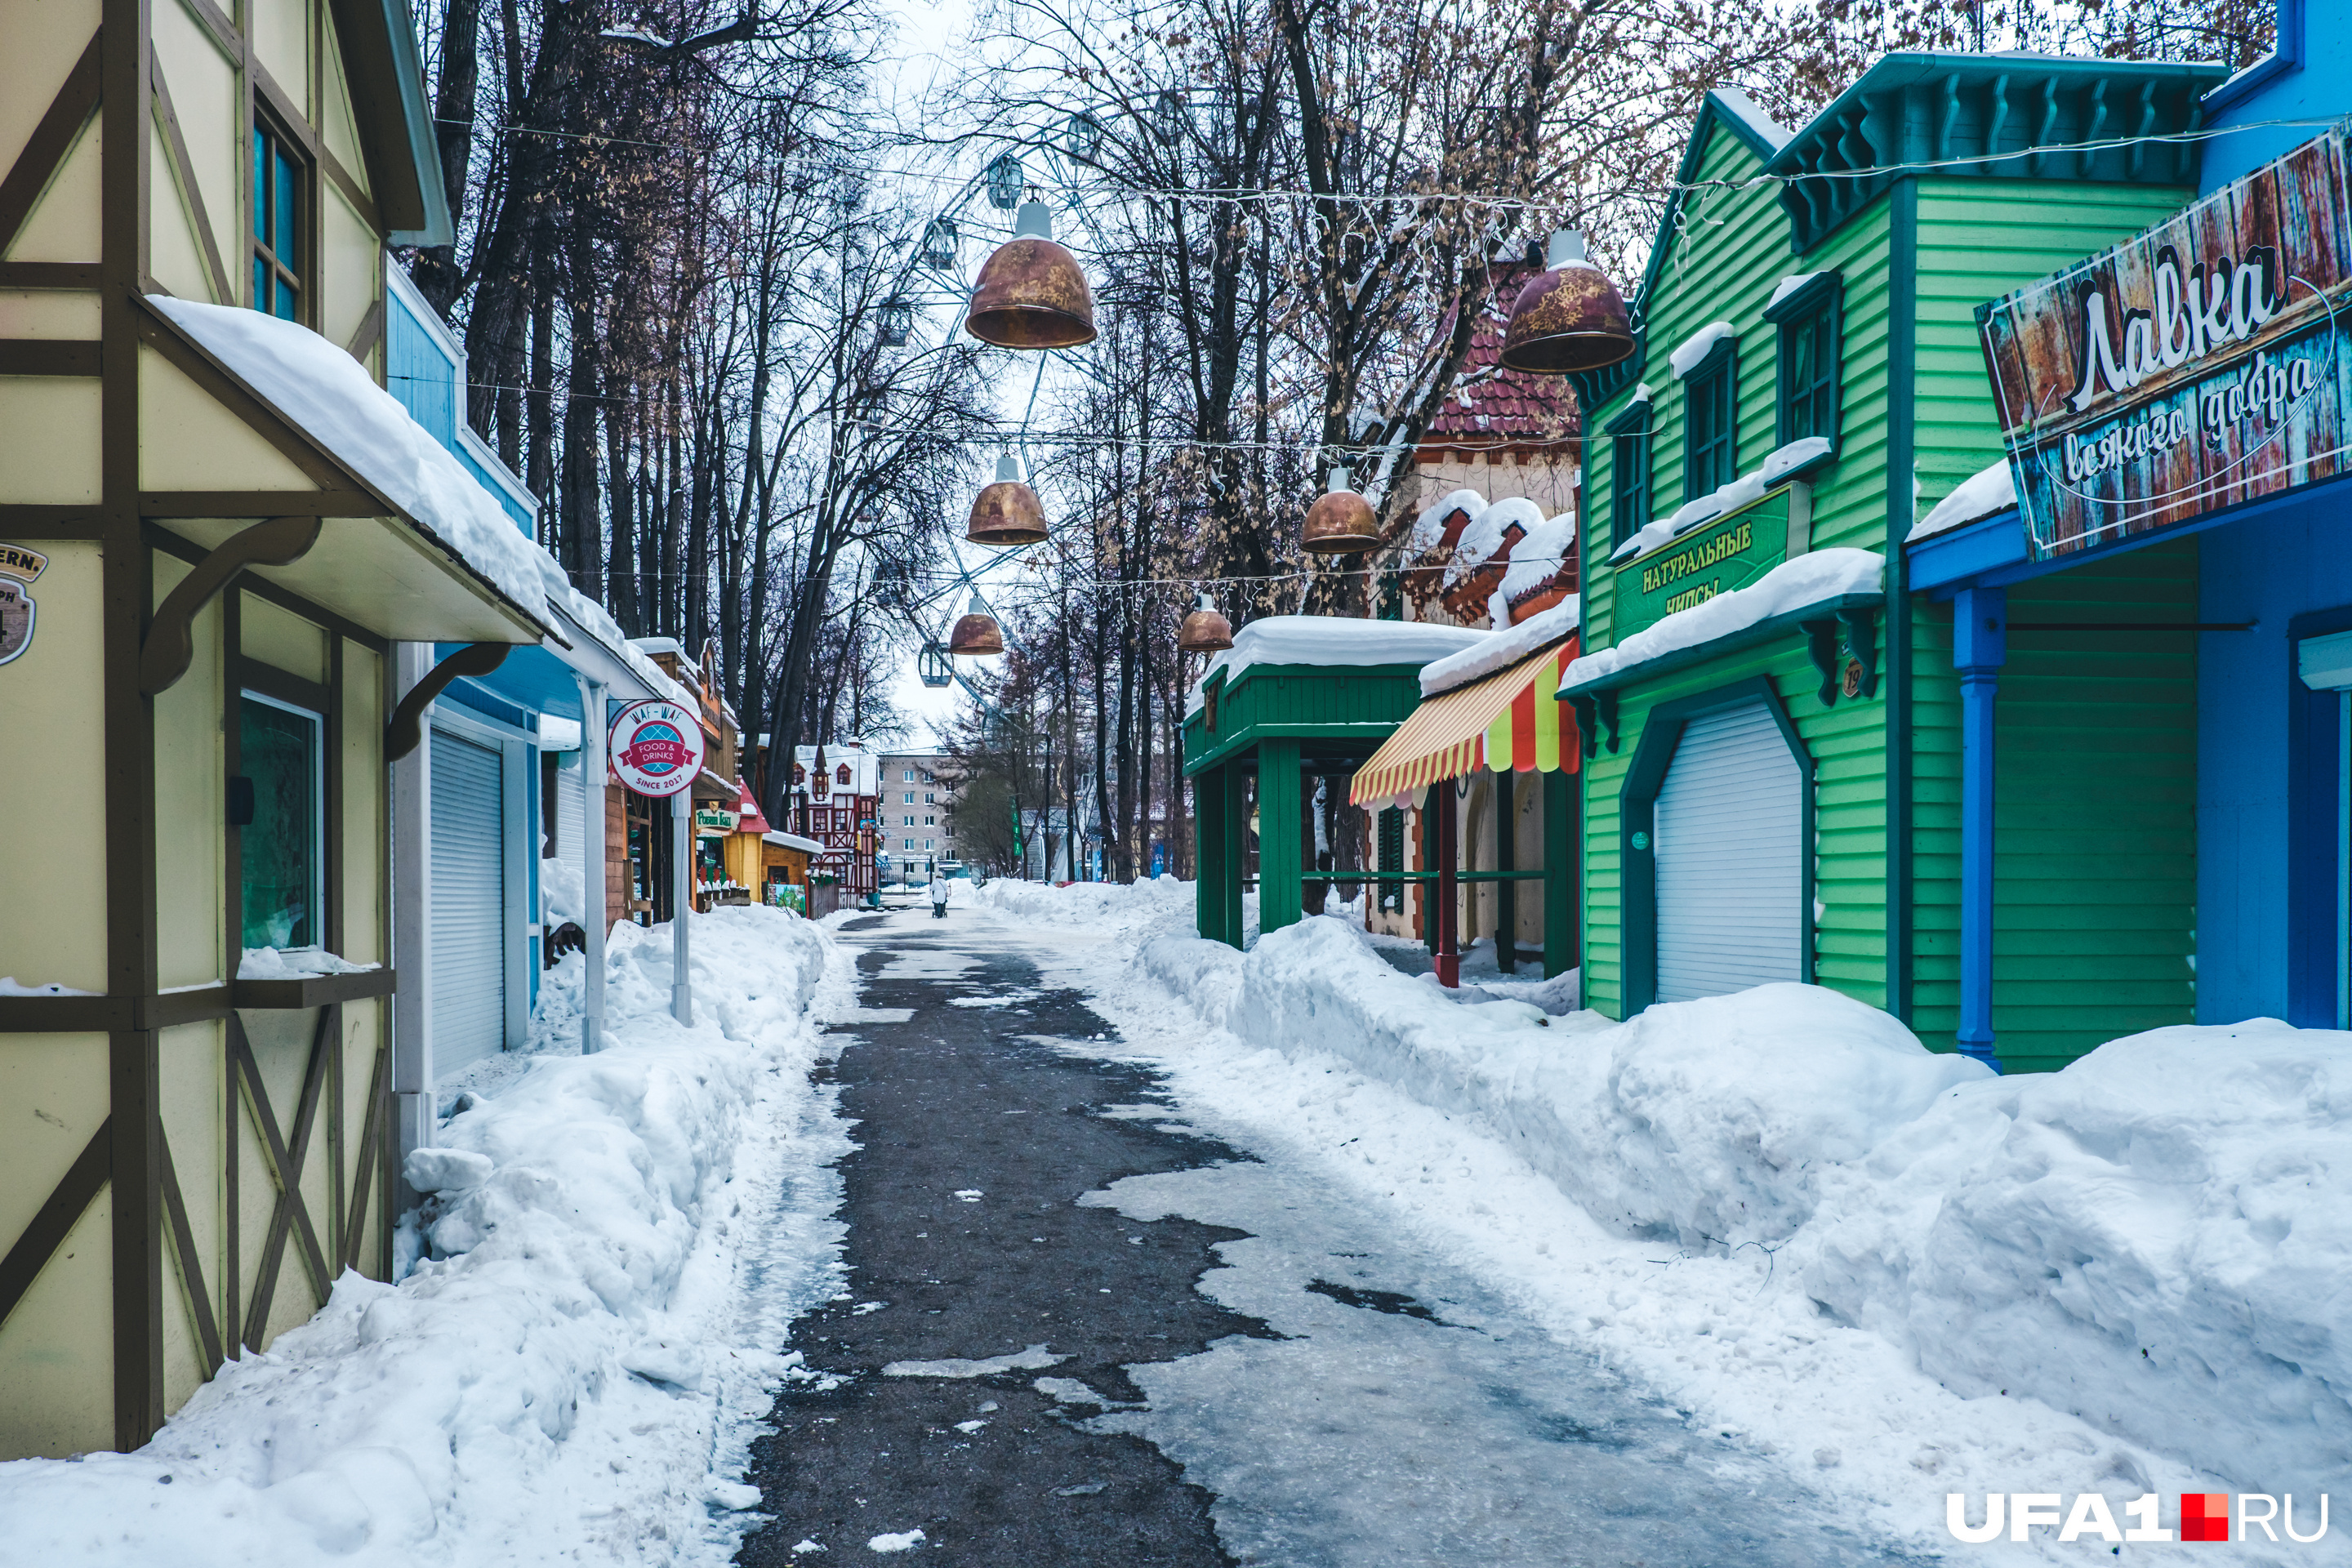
(563, 1376)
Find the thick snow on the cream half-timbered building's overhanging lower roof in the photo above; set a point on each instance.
(330, 396)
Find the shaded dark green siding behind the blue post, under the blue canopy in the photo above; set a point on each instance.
(2094, 815)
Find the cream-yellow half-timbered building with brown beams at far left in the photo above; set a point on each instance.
(220, 584)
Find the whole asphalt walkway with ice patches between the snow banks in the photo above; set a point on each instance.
(1243, 1362)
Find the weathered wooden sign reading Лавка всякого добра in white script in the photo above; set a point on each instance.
(2193, 368)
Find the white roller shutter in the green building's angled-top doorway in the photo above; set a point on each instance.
(1730, 855)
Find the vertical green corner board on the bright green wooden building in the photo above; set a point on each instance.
(1895, 638)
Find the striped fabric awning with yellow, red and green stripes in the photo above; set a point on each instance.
(1506, 723)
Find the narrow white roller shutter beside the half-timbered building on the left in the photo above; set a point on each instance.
(469, 902)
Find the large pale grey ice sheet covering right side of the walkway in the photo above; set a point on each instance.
(1368, 1430)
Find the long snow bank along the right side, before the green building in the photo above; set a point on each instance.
(2156, 1240)
